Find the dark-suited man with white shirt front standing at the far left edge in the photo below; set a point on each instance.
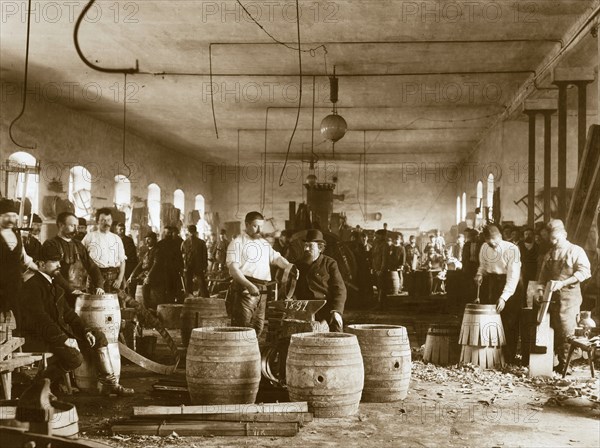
(13, 259)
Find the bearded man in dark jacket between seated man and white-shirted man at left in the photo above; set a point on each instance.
(75, 263)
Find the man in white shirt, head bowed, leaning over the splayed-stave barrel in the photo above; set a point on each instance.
(498, 277)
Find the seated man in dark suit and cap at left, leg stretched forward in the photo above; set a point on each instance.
(50, 323)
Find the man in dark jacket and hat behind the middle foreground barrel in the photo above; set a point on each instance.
(320, 279)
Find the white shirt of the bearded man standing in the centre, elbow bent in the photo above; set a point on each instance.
(254, 256)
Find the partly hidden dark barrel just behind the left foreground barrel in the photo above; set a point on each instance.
(202, 312)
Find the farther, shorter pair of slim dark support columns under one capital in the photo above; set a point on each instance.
(532, 108)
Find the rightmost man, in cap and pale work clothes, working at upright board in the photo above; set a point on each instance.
(566, 266)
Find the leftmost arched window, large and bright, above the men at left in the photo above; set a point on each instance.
(22, 162)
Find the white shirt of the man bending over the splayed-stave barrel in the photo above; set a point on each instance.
(504, 259)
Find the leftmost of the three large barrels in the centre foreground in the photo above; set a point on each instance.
(223, 365)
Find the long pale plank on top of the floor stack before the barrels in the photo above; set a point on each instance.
(221, 409)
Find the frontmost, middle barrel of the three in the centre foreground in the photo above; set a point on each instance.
(326, 370)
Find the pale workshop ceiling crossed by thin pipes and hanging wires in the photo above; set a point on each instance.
(417, 80)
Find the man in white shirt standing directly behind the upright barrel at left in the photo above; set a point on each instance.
(107, 251)
